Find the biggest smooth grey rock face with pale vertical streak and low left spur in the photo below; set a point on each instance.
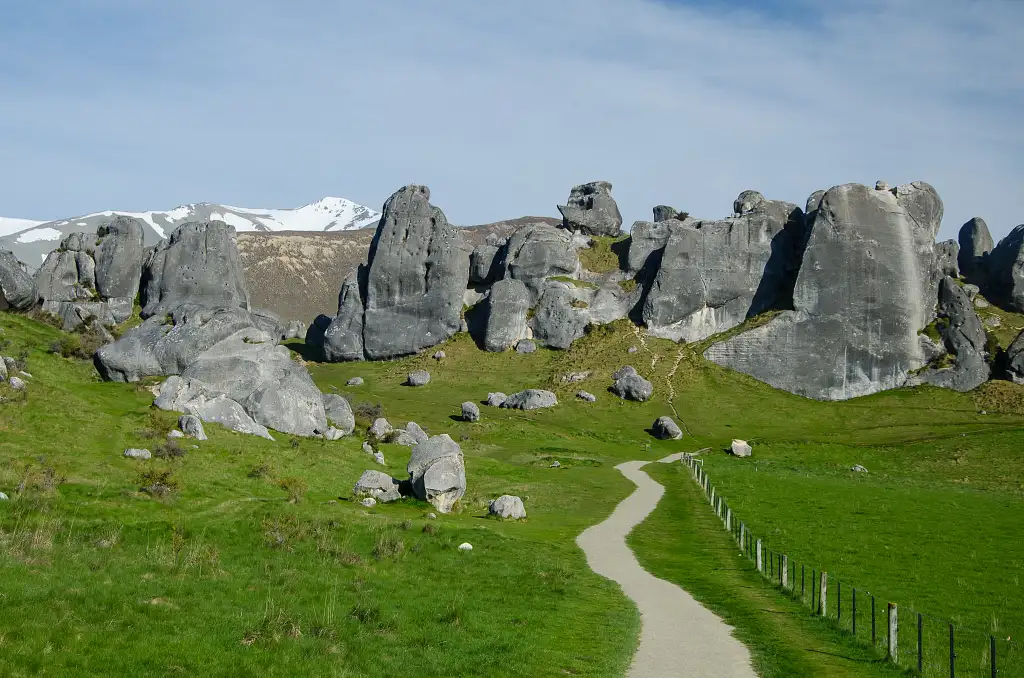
(866, 289)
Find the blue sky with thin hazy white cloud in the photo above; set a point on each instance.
(501, 108)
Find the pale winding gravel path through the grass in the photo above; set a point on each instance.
(678, 637)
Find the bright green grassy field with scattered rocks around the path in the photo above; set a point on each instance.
(259, 564)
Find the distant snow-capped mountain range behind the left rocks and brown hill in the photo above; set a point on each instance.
(32, 241)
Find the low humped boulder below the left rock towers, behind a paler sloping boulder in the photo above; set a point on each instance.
(167, 345)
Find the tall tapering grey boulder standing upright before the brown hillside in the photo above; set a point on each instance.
(419, 269)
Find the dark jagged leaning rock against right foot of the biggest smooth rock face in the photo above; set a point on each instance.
(964, 336)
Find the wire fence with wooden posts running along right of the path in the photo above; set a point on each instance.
(909, 639)
